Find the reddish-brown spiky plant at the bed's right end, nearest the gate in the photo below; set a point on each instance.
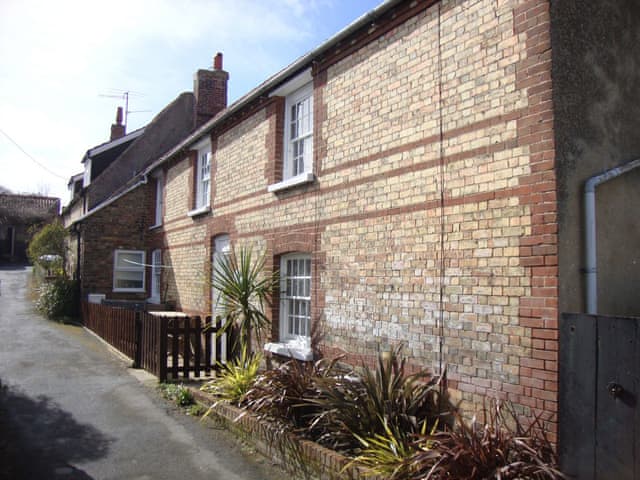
(501, 448)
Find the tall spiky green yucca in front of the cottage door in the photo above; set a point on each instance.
(245, 290)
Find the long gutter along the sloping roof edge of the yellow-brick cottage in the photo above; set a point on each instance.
(296, 67)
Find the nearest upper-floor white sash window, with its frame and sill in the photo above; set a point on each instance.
(298, 91)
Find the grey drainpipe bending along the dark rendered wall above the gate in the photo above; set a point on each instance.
(590, 230)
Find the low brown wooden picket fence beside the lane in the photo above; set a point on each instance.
(170, 345)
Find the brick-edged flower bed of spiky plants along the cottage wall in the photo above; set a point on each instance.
(321, 422)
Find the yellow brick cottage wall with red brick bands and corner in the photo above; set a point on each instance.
(432, 219)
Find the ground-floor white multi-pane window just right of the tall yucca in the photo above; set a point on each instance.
(295, 299)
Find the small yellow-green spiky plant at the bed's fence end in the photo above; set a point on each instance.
(236, 378)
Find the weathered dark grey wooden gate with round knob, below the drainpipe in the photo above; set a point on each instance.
(599, 386)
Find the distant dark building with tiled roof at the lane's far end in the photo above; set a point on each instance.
(20, 217)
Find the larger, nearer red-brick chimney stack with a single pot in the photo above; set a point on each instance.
(210, 90)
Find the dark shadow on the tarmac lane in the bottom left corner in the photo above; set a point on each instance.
(40, 440)
